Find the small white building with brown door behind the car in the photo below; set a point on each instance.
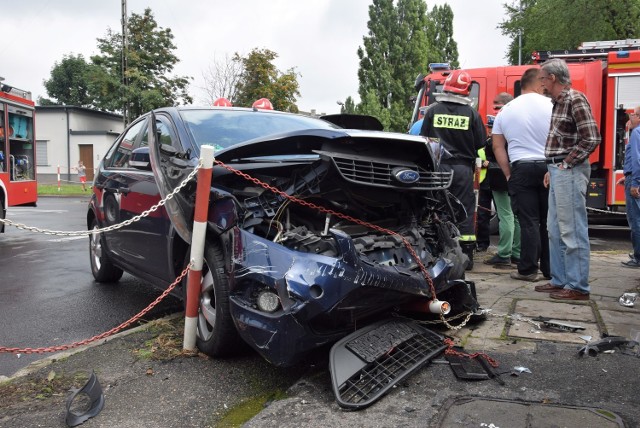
(67, 134)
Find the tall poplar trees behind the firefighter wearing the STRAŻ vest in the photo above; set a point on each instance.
(398, 47)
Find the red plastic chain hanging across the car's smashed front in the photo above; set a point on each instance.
(313, 206)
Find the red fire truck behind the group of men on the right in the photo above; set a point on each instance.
(607, 72)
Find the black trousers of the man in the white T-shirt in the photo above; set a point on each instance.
(530, 203)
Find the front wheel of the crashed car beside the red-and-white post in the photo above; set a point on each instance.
(216, 334)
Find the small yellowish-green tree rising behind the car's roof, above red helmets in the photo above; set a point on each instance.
(261, 79)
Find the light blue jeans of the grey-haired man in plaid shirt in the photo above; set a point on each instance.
(569, 249)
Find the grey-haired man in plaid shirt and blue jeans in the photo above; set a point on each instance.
(573, 136)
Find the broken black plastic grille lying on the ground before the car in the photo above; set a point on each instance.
(401, 348)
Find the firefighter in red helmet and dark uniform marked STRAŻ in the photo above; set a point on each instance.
(460, 129)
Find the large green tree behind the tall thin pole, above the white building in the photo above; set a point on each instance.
(150, 61)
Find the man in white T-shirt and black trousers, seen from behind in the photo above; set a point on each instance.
(524, 125)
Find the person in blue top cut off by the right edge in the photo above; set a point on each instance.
(631, 181)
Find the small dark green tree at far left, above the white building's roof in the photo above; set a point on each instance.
(68, 83)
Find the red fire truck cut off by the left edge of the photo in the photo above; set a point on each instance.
(18, 184)
